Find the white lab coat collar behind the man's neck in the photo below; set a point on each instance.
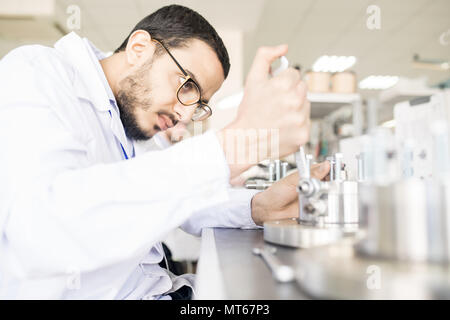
(88, 83)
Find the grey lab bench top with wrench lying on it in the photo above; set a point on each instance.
(228, 269)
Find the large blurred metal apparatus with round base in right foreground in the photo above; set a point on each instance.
(404, 204)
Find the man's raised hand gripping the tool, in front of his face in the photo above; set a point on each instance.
(276, 105)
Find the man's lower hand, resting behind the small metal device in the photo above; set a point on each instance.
(280, 201)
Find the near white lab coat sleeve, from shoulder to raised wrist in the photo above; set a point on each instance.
(60, 207)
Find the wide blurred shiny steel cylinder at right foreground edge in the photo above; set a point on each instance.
(407, 220)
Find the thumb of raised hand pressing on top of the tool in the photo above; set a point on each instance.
(261, 64)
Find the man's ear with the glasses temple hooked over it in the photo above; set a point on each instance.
(139, 47)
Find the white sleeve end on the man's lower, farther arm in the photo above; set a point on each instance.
(235, 213)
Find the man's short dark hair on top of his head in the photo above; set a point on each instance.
(175, 25)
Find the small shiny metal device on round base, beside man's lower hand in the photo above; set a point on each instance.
(328, 210)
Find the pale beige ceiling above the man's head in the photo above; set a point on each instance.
(310, 27)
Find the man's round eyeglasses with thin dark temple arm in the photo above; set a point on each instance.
(188, 92)
